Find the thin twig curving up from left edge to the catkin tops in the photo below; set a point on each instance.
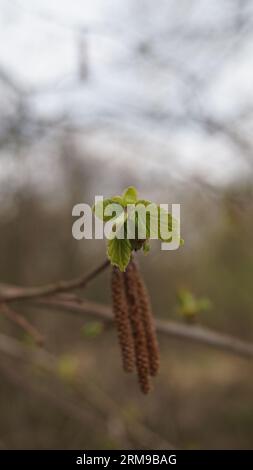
(10, 293)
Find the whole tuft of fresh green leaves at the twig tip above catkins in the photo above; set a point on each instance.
(152, 224)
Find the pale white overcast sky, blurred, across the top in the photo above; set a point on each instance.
(129, 97)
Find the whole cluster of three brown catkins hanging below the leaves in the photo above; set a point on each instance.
(134, 321)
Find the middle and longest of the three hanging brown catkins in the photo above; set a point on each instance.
(141, 352)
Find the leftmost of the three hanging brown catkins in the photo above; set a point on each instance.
(122, 320)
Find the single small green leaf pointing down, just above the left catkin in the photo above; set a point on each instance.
(119, 252)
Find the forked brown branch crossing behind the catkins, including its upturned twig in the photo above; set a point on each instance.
(58, 297)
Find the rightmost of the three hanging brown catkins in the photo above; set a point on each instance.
(148, 322)
